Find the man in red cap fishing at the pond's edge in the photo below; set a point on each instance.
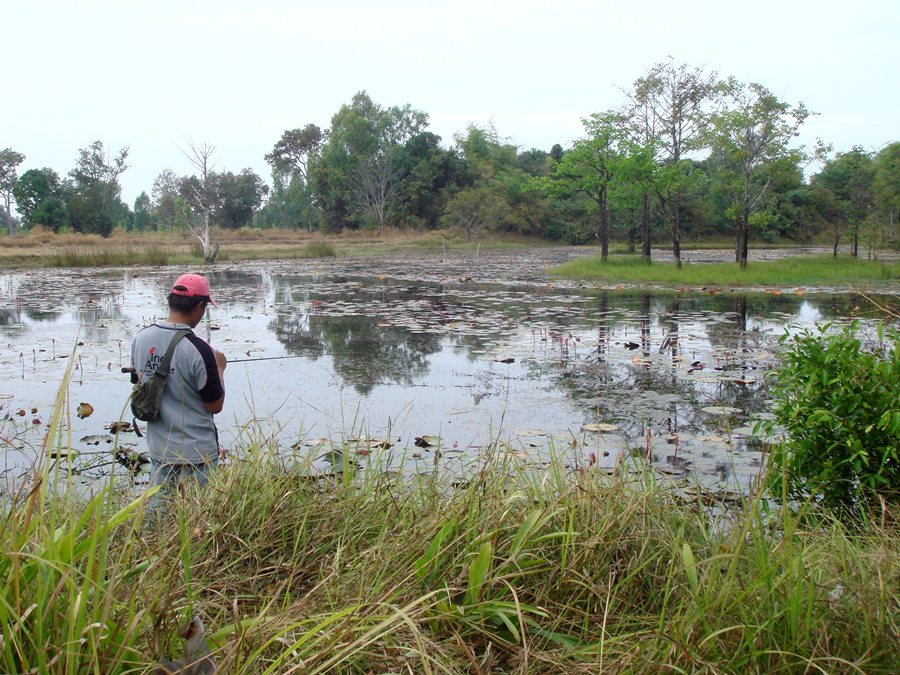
(183, 440)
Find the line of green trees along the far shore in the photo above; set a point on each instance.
(685, 154)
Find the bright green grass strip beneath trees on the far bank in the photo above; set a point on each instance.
(793, 271)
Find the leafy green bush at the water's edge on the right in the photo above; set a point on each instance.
(838, 401)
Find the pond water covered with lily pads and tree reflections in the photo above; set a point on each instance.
(436, 357)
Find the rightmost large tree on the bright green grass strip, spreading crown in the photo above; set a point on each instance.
(750, 134)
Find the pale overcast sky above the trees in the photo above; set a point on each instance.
(151, 75)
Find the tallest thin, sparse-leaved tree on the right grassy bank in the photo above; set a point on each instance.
(675, 99)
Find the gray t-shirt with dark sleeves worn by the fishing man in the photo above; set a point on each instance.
(184, 432)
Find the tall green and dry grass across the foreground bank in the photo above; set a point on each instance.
(523, 569)
